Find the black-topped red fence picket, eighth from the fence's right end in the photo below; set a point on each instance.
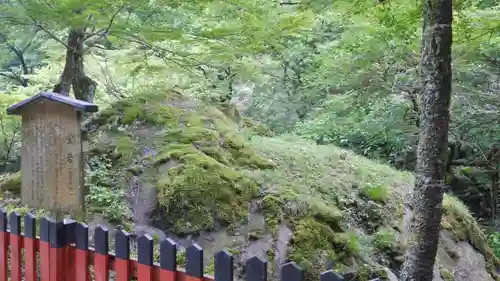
(122, 253)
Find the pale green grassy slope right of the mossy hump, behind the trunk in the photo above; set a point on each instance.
(350, 200)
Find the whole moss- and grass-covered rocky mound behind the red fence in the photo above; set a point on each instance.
(172, 163)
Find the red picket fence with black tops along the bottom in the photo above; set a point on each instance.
(64, 255)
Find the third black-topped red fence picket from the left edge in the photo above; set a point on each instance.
(30, 247)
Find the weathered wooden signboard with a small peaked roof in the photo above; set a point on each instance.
(52, 152)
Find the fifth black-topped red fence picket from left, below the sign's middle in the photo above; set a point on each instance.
(57, 250)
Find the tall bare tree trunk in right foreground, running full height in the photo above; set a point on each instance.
(427, 197)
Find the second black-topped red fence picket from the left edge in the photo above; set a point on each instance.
(15, 246)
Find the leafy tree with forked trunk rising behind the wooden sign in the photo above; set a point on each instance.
(150, 25)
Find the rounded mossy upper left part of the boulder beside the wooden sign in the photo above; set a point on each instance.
(190, 151)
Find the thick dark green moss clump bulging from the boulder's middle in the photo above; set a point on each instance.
(194, 195)
